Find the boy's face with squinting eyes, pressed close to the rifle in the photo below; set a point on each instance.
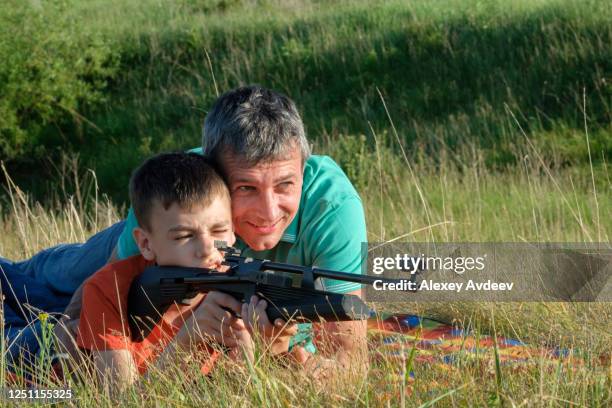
(186, 237)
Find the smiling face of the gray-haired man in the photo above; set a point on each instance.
(265, 198)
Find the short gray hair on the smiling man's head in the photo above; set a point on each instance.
(255, 124)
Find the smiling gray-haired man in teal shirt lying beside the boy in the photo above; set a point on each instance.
(287, 206)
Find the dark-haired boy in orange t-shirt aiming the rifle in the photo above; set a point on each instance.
(182, 206)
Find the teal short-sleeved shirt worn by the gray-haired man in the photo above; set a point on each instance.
(327, 231)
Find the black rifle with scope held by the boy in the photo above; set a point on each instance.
(292, 292)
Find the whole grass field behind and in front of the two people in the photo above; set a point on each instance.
(456, 120)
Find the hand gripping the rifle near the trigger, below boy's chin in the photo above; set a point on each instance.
(213, 321)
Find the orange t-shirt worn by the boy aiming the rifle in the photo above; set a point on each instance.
(104, 318)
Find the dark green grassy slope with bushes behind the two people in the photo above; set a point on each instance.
(449, 71)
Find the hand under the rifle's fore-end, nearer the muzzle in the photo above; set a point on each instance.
(276, 336)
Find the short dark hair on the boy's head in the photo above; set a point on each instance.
(183, 178)
